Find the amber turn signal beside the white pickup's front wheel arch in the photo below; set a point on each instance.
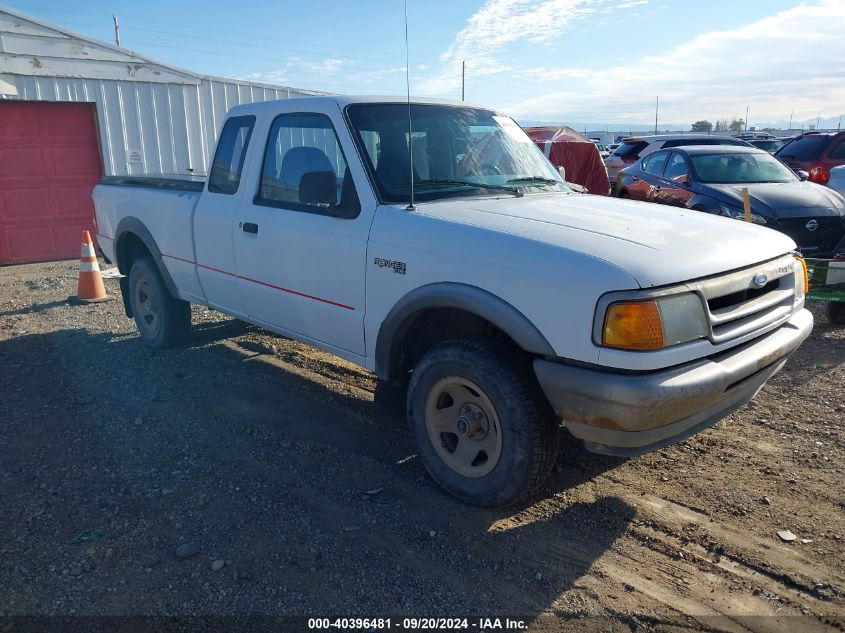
(633, 325)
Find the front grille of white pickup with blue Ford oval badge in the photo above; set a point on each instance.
(742, 302)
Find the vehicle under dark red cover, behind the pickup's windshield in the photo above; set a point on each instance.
(577, 154)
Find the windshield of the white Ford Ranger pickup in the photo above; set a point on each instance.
(456, 151)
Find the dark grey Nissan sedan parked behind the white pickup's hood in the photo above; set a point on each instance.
(706, 178)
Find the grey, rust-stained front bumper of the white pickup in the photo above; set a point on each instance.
(631, 414)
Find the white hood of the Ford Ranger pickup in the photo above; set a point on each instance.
(656, 244)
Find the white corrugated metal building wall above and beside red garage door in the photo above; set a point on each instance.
(153, 128)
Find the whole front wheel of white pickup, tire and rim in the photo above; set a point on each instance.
(484, 430)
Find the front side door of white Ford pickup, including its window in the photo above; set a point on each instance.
(300, 242)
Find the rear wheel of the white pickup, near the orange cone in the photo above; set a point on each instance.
(162, 321)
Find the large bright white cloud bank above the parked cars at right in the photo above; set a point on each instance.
(778, 64)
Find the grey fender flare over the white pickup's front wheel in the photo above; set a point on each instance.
(460, 296)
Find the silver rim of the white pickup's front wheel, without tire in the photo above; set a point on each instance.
(463, 426)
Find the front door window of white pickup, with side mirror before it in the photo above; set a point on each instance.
(305, 169)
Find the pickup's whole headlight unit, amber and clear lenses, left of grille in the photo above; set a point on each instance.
(654, 323)
